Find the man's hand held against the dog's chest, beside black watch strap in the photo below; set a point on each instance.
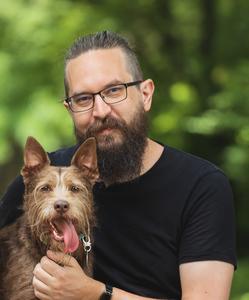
(54, 282)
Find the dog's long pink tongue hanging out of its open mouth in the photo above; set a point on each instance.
(71, 239)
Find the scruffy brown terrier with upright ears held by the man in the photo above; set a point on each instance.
(58, 215)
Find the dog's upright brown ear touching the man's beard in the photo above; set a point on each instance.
(85, 159)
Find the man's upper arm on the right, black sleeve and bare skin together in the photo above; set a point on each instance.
(207, 255)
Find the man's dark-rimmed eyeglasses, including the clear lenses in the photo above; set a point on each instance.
(111, 95)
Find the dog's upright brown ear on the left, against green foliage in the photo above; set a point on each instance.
(35, 157)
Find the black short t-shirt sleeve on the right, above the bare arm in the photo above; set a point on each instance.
(208, 222)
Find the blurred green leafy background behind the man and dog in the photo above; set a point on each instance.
(197, 52)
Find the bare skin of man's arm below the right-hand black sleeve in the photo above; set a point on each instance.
(206, 280)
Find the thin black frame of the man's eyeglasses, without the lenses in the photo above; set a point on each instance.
(127, 84)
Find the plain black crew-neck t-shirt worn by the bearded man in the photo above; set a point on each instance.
(180, 211)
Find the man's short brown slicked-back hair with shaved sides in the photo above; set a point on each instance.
(103, 40)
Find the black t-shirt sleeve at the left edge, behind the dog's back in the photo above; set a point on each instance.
(11, 202)
